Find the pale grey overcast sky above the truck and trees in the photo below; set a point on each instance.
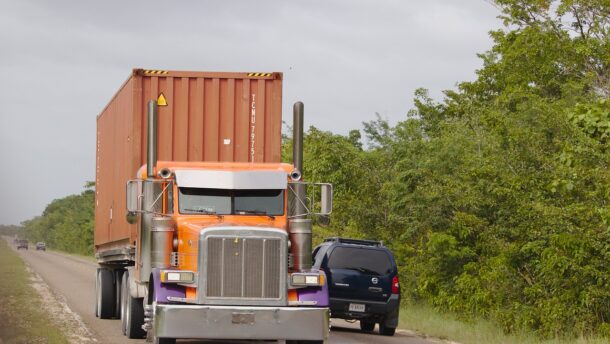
(61, 61)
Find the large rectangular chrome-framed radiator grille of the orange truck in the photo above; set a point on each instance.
(238, 267)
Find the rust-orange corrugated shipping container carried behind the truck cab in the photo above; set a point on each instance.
(210, 116)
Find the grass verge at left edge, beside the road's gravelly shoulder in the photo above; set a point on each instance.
(22, 320)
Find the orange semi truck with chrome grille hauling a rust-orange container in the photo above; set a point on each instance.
(200, 230)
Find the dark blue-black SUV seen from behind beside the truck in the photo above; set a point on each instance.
(362, 281)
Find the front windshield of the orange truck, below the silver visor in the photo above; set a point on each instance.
(230, 202)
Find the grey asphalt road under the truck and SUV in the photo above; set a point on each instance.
(73, 280)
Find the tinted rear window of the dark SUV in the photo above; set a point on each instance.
(369, 261)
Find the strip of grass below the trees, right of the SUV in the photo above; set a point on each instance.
(426, 320)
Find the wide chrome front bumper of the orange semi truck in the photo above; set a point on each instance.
(241, 322)
